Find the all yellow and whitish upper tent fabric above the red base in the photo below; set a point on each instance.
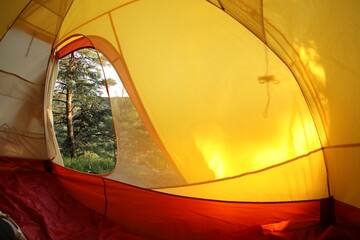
(250, 100)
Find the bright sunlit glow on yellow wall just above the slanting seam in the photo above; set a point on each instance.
(219, 154)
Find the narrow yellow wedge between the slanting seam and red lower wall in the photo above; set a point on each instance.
(267, 184)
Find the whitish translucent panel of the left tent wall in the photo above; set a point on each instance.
(22, 74)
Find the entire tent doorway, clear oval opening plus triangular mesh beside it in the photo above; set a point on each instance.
(86, 111)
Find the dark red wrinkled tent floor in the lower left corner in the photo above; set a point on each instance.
(43, 210)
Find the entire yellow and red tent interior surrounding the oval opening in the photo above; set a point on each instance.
(253, 104)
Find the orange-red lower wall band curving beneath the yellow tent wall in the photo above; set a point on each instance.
(156, 215)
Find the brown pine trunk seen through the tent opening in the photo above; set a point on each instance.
(69, 113)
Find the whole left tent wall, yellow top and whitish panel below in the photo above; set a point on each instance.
(28, 30)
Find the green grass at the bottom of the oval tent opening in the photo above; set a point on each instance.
(90, 165)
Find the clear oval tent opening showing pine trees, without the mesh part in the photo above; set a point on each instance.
(82, 114)
